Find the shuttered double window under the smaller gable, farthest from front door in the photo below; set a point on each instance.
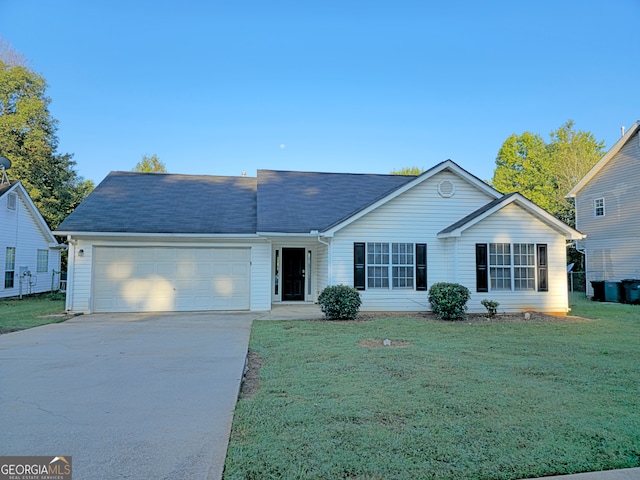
(506, 266)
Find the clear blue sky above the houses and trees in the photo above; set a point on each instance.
(225, 87)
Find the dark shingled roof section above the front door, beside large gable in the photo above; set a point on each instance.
(299, 202)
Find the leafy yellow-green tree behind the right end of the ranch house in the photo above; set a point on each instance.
(544, 172)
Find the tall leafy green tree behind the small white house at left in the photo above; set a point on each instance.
(28, 138)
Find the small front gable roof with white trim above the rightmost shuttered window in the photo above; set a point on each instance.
(457, 228)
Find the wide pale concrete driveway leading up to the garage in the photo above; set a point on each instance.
(125, 395)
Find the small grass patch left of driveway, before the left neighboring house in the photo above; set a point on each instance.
(32, 311)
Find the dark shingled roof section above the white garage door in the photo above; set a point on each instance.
(132, 202)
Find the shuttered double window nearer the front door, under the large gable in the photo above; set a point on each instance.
(390, 265)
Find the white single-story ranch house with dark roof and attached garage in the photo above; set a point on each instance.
(164, 242)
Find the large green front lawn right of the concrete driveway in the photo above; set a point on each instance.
(485, 400)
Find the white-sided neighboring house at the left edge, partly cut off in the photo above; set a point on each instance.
(29, 253)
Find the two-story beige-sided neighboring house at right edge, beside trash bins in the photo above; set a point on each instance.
(608, 213)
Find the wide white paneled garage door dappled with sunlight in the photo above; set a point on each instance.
(164, 279)
